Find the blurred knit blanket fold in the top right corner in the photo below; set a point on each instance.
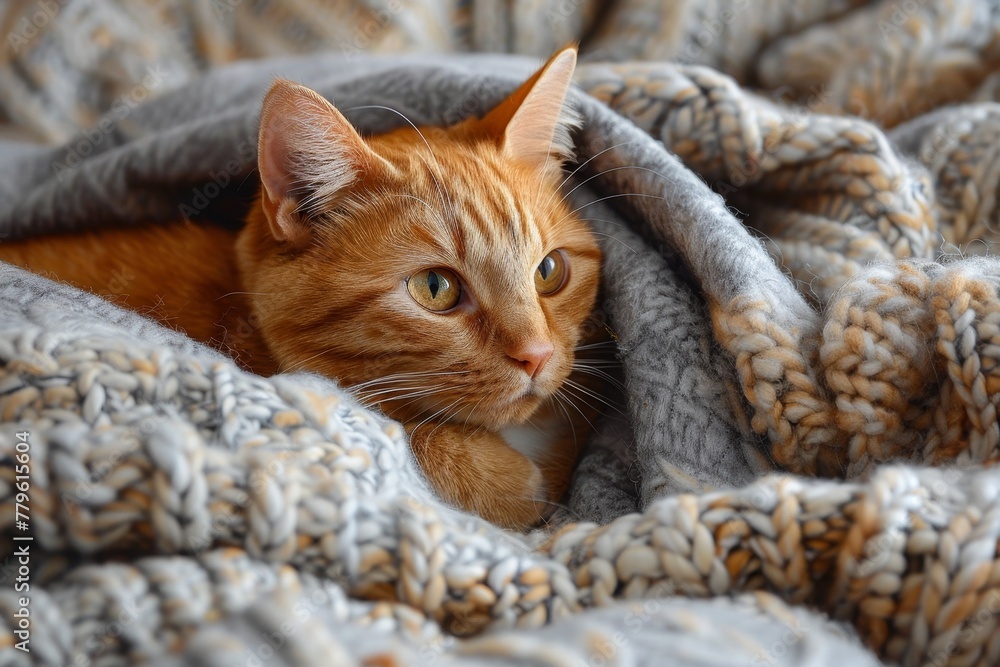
(889, 61)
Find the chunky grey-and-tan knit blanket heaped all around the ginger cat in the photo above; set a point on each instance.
(807, 314)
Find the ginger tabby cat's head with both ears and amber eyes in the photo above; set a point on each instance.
(437, 272)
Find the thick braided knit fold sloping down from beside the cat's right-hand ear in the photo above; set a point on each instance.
(837, 168)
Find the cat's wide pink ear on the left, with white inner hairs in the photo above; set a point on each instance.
(308, 152)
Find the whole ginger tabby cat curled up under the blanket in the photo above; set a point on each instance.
(437, 274)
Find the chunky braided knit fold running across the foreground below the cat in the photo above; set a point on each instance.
(850, 549)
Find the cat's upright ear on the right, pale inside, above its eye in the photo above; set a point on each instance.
(535, 123)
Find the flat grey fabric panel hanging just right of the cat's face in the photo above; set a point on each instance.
(680, 388)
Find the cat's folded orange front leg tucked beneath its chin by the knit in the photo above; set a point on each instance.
(478, 471)
